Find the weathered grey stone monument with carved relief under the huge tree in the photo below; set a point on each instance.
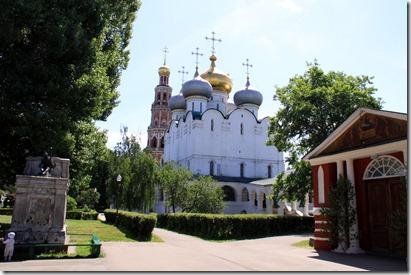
(39, 211)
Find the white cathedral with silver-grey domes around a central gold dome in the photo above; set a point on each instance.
(211, 136)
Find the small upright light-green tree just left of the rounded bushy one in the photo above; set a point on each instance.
(174, 181)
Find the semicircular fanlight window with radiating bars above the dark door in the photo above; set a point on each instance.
(385, 167)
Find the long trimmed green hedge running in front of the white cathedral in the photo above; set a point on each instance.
(241, 226)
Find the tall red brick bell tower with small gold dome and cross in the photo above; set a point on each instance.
(160, 113)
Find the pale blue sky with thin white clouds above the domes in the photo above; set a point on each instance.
(366, 37)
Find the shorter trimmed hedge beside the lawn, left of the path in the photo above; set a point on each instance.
(140, 225)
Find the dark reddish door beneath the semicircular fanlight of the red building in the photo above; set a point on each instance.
(384, 198)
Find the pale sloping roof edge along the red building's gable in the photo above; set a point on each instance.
(348, 123)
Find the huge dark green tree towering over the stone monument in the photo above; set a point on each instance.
(60, 66)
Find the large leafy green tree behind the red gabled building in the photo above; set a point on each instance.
(313, 106)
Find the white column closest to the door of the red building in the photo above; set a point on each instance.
(354, 243)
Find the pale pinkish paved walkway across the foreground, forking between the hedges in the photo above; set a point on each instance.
(186, 253)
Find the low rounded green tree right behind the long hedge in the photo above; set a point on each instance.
(203, 196)
